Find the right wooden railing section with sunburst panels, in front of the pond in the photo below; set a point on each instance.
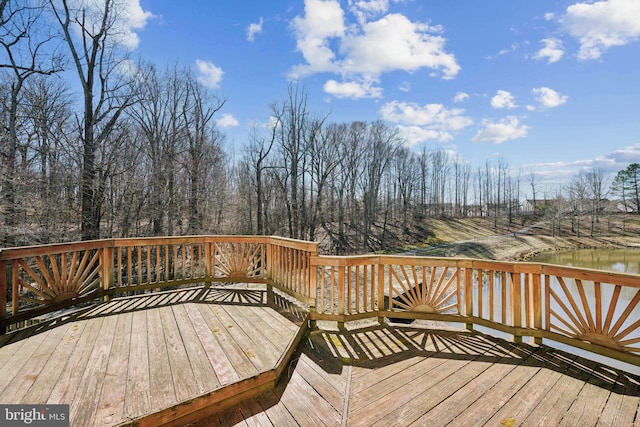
(594, 310)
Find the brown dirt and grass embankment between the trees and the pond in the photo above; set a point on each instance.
(483, 238)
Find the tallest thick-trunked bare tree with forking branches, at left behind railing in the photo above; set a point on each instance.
(91, 35)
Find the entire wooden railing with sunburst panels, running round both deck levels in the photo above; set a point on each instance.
(590, 309)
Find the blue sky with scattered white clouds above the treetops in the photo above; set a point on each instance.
(550, 86)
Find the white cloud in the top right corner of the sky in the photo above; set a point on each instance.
(602, 24)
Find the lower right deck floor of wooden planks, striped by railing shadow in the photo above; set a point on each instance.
(398, 375)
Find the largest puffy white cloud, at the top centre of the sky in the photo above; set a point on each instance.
(363, 49)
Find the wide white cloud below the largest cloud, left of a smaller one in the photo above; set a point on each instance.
(421, 123)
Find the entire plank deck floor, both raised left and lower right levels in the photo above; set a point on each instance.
(131, 357)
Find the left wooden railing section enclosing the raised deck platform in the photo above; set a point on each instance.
(41, 279)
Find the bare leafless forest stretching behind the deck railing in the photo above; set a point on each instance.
(126, 148)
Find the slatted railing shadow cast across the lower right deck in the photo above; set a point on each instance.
(382, 345)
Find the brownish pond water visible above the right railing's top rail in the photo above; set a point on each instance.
(618, 260)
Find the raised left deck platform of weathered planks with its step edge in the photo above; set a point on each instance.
(148, 359)
